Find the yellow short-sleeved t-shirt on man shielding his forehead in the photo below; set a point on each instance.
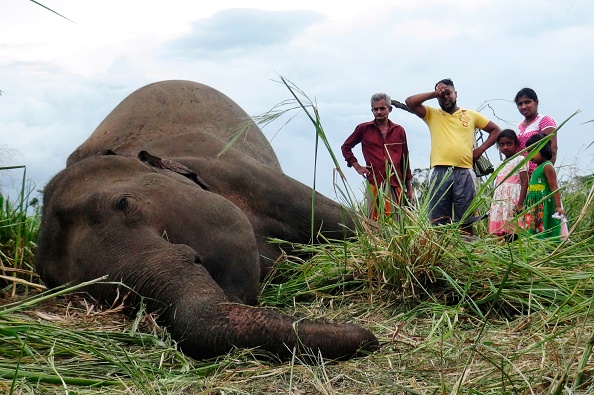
(452, 136)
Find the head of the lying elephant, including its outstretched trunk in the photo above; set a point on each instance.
(189, 252)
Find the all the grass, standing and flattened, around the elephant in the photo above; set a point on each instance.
(454, 316)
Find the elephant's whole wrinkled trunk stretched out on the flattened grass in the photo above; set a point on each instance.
(202, 318)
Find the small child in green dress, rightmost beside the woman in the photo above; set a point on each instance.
(543, 199)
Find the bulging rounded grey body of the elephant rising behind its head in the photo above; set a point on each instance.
(168, 108)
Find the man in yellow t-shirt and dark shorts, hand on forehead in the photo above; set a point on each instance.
(452, 152)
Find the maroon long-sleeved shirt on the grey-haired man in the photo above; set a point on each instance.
(378, 151)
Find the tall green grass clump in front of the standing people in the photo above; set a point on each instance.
(417, 262)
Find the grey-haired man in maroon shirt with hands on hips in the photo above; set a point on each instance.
(385, 151)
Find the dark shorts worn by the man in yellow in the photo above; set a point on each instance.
(452, 190)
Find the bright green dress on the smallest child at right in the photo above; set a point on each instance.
(540, 206)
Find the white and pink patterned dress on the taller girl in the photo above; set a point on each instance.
(505, 198)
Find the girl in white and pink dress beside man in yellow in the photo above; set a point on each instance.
(511, 187)
